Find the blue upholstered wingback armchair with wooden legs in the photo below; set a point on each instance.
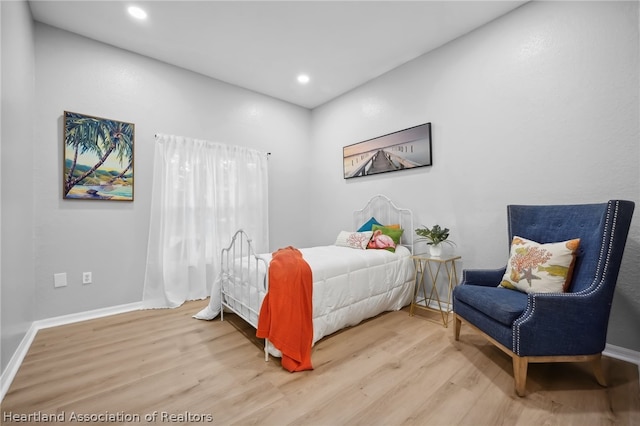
(551, 327)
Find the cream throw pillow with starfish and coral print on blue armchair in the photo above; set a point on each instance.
(540, 268)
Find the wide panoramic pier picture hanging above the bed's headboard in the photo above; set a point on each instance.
(402, 150)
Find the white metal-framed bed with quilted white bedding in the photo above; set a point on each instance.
(349, 284)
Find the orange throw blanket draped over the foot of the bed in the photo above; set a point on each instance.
(286, 311)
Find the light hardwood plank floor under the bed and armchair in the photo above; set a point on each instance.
(390, 370)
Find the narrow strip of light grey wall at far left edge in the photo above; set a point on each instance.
(16, 261)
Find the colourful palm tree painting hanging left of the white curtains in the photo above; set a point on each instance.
(98, 158)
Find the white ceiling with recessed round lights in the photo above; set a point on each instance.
(264, 45)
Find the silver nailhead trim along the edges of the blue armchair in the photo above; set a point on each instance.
(600, 272)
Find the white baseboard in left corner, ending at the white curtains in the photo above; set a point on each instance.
(18, 356)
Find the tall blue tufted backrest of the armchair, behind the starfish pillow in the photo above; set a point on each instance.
(602, 229)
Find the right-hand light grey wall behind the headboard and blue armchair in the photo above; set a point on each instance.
(539, 106)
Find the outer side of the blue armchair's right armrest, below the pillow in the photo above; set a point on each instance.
(572, 324)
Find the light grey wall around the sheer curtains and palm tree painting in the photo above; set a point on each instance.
(110, 238)
